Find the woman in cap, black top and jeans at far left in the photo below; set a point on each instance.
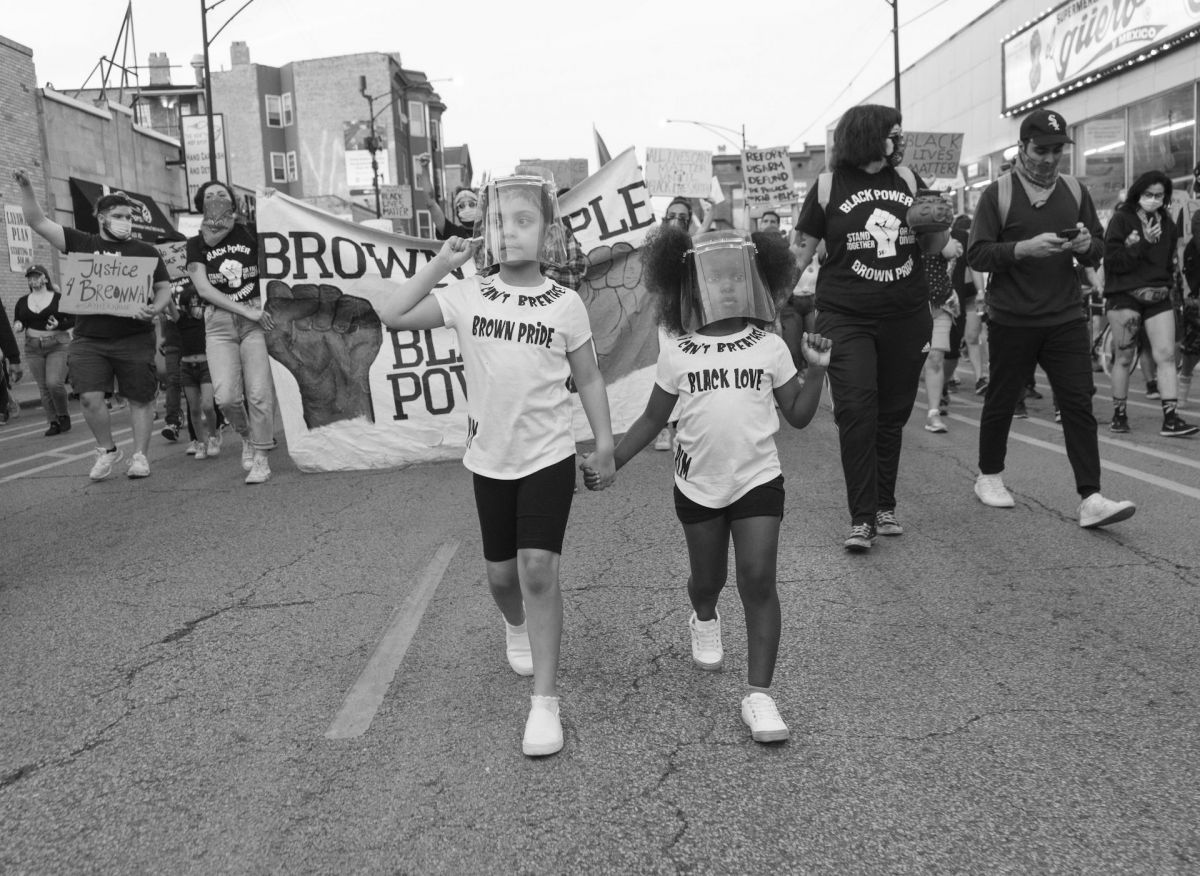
(47, 340)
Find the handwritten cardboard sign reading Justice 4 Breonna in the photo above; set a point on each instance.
(117, 286)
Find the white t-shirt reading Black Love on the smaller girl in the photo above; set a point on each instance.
(725, 442)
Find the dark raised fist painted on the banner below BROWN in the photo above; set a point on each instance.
(328, 341)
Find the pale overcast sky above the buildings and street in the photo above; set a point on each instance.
(529, 79)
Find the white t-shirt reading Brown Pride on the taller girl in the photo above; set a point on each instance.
(514, 343)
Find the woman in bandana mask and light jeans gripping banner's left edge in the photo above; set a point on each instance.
(223, 262)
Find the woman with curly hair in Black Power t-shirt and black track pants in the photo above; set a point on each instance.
(872, 303)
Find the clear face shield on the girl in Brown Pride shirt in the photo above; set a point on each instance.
(519, 221)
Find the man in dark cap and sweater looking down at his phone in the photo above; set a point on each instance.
(1030, 245)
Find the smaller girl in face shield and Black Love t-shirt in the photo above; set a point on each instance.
(716, 296)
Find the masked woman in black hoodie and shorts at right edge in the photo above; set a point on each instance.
(1141, 250)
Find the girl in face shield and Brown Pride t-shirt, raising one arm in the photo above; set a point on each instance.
(521, 338)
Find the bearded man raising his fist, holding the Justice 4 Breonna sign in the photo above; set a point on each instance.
(107, 347)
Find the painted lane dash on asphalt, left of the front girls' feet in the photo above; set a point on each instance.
(364, 699)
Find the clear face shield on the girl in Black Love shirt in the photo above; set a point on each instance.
(723, 281)
